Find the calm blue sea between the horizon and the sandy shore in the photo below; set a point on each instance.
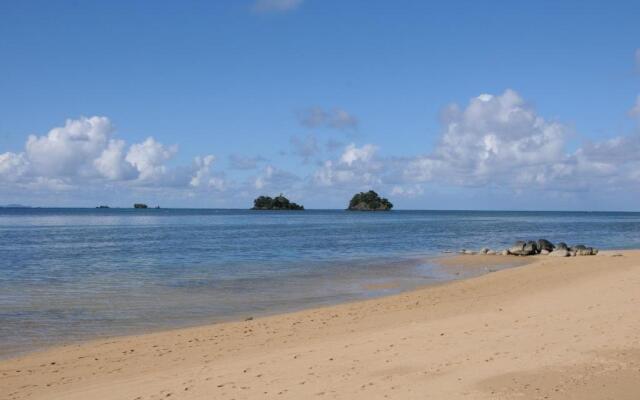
(68, 274)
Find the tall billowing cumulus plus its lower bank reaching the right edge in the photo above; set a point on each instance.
(501, 141)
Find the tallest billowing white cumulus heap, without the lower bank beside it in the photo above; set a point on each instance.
(493, 139)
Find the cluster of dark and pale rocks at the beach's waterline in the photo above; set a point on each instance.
(542, 247)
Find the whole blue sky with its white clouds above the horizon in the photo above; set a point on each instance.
(507, 105)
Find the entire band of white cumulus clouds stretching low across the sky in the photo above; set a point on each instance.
(493, 141)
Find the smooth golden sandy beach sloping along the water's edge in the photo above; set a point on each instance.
(557, 328)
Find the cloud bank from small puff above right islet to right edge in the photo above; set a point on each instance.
(493, 141)
